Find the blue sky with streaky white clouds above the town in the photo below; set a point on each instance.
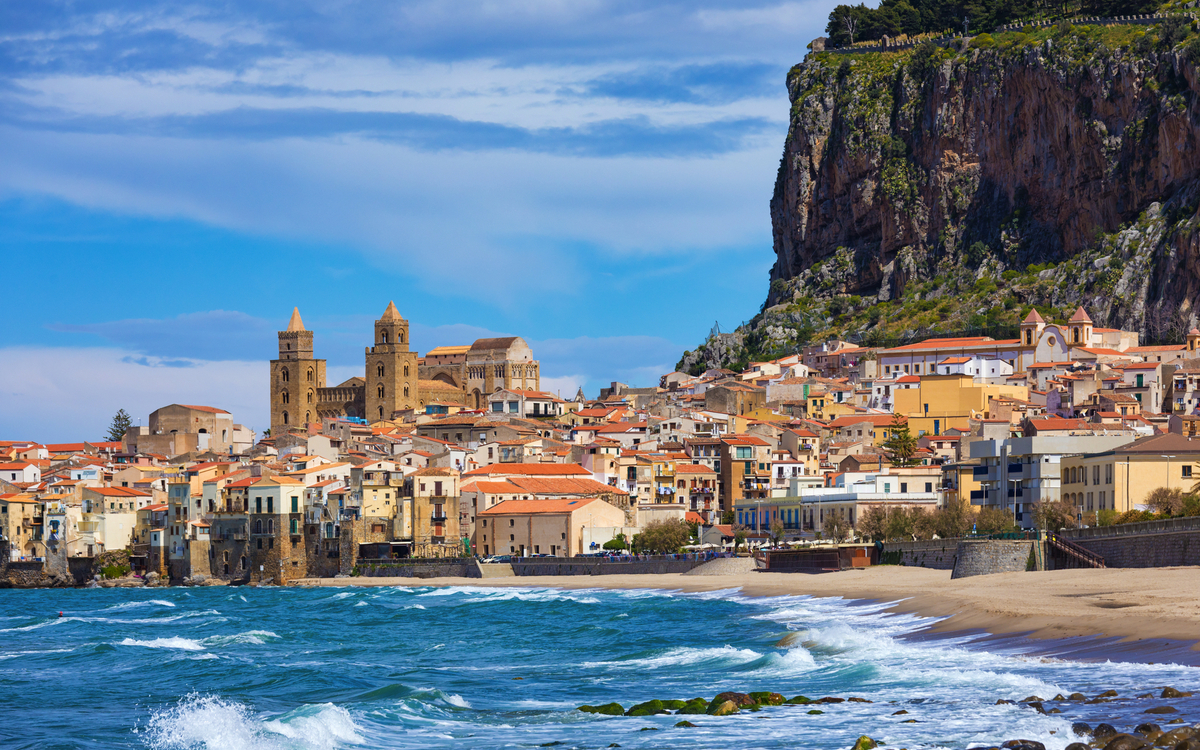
(592, 176)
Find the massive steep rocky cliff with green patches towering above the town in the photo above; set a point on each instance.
(950, 189)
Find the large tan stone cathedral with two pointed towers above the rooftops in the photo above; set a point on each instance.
(397, 381)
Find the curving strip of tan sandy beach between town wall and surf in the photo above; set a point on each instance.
(1129, 604)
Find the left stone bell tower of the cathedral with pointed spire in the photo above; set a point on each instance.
(296, 377)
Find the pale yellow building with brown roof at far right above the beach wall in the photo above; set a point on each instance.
(1123, 478)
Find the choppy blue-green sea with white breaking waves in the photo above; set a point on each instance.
(232, 669)
